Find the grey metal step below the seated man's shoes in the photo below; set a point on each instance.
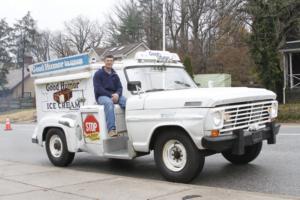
(119, 148)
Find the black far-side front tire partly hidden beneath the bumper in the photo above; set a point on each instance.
(251, 152)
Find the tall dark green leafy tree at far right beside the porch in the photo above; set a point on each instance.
(271, 21)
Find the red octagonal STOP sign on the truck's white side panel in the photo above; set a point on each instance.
(91, 127)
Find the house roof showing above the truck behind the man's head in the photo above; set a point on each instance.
(123, 51)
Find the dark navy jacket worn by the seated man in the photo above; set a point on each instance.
(106, 84)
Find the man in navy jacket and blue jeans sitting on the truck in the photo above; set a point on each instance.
(108, 91)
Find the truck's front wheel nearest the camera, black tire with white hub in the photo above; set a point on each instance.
(184, 161)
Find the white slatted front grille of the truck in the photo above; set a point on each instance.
(241, 116)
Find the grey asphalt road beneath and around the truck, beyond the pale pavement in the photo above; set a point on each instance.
(276, 170)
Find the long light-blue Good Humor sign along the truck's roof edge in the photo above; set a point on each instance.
(63, 63)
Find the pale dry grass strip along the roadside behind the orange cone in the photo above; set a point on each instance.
(24, 115)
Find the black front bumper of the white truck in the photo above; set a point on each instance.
(240, 139)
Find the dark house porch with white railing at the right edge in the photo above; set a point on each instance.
(291, 70)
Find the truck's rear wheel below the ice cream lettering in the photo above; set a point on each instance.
(57, 148)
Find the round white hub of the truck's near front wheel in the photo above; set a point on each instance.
(174, 155)
